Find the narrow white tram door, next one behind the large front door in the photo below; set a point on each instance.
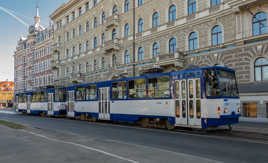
(104, 103)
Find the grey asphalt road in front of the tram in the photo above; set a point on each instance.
(64, 140)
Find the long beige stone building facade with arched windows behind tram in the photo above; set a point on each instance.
(94, 40)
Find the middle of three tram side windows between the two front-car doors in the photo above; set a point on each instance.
(137, 88)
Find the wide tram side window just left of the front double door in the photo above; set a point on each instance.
(159, 87)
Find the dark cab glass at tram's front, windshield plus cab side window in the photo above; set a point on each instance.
(221, 83)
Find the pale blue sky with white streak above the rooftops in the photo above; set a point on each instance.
(12, 29)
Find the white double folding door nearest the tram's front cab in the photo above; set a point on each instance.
(187, 102)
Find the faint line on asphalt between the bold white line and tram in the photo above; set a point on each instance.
(164, 150)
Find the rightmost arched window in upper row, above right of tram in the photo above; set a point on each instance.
(259, 24)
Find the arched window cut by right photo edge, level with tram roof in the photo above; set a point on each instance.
(261, 69)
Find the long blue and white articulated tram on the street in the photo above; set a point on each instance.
(202, 97)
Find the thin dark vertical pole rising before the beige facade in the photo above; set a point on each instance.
(134, 38)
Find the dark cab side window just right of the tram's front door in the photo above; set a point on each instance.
(212, 83)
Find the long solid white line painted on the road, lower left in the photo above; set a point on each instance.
(83, 146)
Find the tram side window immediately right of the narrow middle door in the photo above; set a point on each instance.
(119, 90)
